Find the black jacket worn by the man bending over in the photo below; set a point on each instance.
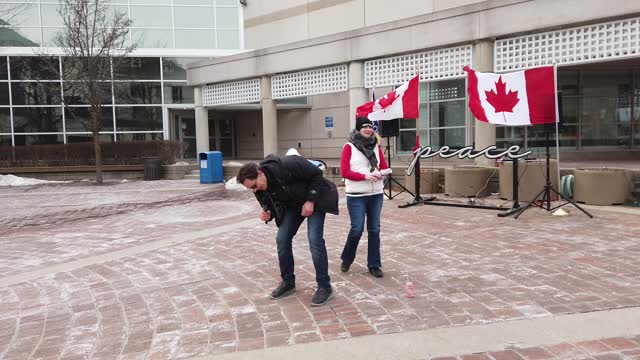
(291, 181)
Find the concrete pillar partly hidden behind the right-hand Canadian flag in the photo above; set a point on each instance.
(485, 133)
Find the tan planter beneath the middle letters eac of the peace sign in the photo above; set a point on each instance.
(467, 180)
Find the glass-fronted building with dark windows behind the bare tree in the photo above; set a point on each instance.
(149, 97)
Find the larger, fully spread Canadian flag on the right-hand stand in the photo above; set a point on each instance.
(519, 98)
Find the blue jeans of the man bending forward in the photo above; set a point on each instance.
(315, 232)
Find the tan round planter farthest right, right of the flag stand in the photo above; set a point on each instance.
(601, 186)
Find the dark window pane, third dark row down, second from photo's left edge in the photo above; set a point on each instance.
(37, 119)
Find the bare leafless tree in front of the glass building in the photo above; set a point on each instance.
(95, 37)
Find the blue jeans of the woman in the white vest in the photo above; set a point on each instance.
(359, 206)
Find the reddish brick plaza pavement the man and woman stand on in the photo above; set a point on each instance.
(208, 295)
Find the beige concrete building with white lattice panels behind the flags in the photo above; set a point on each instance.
(316, 61)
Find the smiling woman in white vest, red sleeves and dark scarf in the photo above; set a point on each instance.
(360, 164)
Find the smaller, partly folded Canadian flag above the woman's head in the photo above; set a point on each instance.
(400, 103)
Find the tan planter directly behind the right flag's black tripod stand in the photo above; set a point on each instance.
(531, 178)
